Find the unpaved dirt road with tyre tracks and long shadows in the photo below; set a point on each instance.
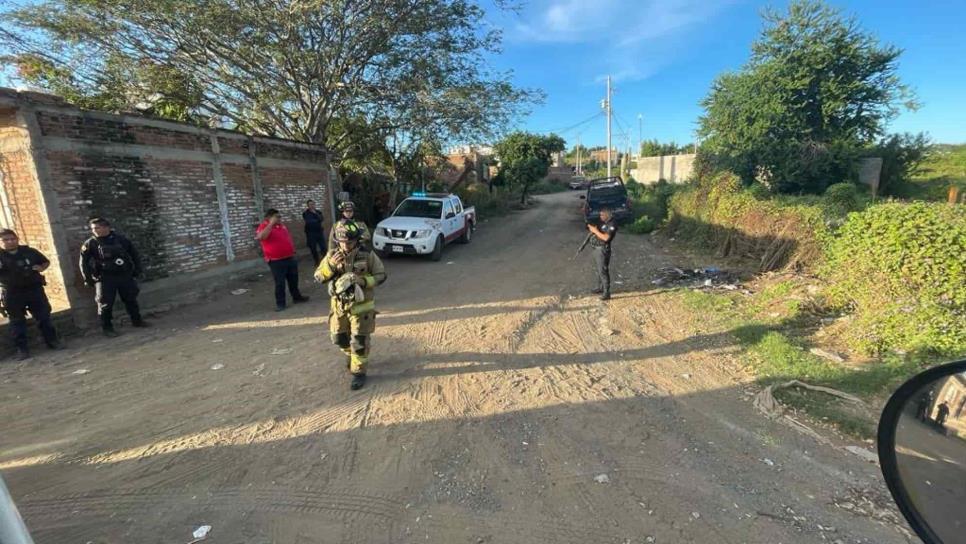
(505, 406)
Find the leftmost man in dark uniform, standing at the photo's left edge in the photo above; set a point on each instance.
(22, 290)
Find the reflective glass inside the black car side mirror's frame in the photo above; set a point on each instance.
(931, 455)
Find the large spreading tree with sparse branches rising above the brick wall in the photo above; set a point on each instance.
(329, 72)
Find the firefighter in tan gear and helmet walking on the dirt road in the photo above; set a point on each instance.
(352, 273)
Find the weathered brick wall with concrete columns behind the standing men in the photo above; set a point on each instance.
(189, 198)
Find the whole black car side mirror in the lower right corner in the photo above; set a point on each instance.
(922, 445)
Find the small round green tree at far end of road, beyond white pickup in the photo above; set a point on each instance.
(525, 159)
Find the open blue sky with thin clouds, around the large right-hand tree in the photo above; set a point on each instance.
(664, 54)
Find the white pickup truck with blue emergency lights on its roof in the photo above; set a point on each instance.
(424, 223)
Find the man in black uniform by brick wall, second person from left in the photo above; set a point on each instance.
(110, 263)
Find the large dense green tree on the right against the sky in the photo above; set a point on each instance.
(816, 91)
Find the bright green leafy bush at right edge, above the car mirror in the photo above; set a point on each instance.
(902, 269)
